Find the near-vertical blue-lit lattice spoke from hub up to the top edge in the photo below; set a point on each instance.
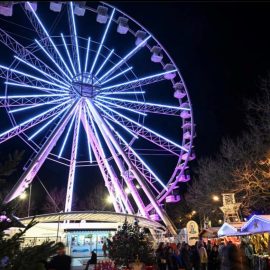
(74, 37)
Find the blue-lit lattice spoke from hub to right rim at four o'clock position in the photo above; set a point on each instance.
(145, 132)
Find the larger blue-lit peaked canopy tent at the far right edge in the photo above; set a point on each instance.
(257, 224)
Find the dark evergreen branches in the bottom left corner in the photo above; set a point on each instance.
(12, 256)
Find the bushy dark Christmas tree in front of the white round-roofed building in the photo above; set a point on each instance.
(129, 244)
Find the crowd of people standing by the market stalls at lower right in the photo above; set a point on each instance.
(204, 256)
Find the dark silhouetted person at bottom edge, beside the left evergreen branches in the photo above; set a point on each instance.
(61, 261)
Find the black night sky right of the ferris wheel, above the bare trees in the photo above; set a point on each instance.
(222, 51)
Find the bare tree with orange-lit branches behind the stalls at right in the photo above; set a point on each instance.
(242, 166)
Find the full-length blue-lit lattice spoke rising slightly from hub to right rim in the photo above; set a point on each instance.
(136, 83)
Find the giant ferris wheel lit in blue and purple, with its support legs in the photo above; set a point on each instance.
(89, 72)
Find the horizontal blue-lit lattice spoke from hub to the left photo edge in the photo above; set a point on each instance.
(28, 100)
